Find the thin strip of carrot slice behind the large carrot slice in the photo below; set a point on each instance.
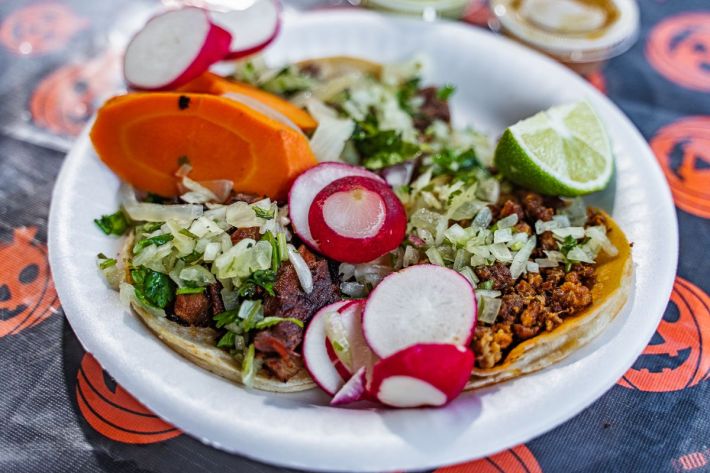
(209, 83)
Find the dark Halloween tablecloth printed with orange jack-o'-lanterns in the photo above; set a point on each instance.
(60, 412)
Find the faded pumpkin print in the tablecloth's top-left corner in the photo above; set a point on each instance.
(40, 28)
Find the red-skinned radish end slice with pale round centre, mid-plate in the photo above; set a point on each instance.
(356, 219)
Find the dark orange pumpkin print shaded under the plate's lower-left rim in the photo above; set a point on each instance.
(114, 413)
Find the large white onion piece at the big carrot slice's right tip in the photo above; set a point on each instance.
(332, 133)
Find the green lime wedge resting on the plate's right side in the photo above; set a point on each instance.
(561, 151)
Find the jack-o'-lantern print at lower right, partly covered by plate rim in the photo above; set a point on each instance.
(678, 356)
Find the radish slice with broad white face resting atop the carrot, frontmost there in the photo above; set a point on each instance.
(173, 48)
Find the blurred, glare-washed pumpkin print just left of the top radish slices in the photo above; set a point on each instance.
(64, 101)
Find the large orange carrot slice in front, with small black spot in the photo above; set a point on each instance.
(144, 137)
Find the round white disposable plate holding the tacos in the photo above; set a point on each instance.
(497, 83)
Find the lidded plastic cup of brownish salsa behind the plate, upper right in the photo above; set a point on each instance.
(583, 34)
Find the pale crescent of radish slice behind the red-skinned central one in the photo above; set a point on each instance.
(308, 185)
